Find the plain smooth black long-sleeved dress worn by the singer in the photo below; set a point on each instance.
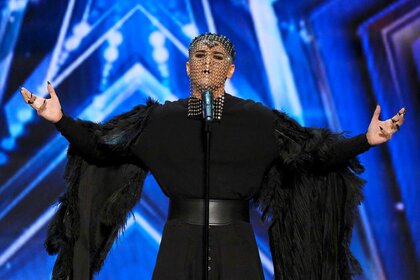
(243, 149)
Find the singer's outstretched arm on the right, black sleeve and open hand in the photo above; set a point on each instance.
(321, 149)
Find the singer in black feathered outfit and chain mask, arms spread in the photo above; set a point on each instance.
(304, 181)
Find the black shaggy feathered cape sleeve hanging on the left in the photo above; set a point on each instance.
(104, 182)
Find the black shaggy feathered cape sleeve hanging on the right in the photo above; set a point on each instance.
(310, 198)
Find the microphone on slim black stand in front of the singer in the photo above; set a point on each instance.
(207, 99)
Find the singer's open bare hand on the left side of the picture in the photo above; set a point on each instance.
(49, 109)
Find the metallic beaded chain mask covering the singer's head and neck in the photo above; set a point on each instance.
(210, 56)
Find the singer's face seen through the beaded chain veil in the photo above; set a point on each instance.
(209, 66)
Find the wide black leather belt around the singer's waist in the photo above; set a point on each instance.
(221, 211)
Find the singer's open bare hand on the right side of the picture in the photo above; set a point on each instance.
(381, 131)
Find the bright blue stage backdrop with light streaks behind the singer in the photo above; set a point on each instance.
(326, 63)
